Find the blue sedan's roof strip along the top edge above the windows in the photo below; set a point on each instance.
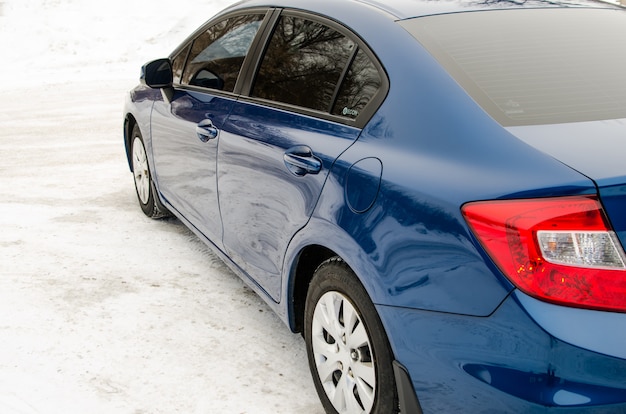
(405, 9)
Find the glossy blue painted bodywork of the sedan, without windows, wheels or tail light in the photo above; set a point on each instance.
(277, 182)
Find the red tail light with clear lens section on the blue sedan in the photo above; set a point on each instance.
(560, 250)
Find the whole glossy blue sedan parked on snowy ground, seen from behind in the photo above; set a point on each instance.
(432, 192)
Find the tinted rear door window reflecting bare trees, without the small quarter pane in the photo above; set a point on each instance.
(303, 64)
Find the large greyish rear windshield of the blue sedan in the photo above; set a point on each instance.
(535, 66)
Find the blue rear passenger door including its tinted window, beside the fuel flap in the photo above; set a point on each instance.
(280, 141)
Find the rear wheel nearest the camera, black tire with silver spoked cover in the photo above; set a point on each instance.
(351, 363)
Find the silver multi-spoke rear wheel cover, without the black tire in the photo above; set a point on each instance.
(343, 354)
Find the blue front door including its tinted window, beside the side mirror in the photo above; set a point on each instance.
(186, 123)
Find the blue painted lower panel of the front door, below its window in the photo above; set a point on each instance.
(185, 164)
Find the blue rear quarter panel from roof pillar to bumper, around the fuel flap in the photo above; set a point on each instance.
(438, 149)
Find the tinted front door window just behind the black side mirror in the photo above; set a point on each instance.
(217, 55)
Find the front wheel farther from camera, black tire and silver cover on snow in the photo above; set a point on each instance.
(144, 185)
